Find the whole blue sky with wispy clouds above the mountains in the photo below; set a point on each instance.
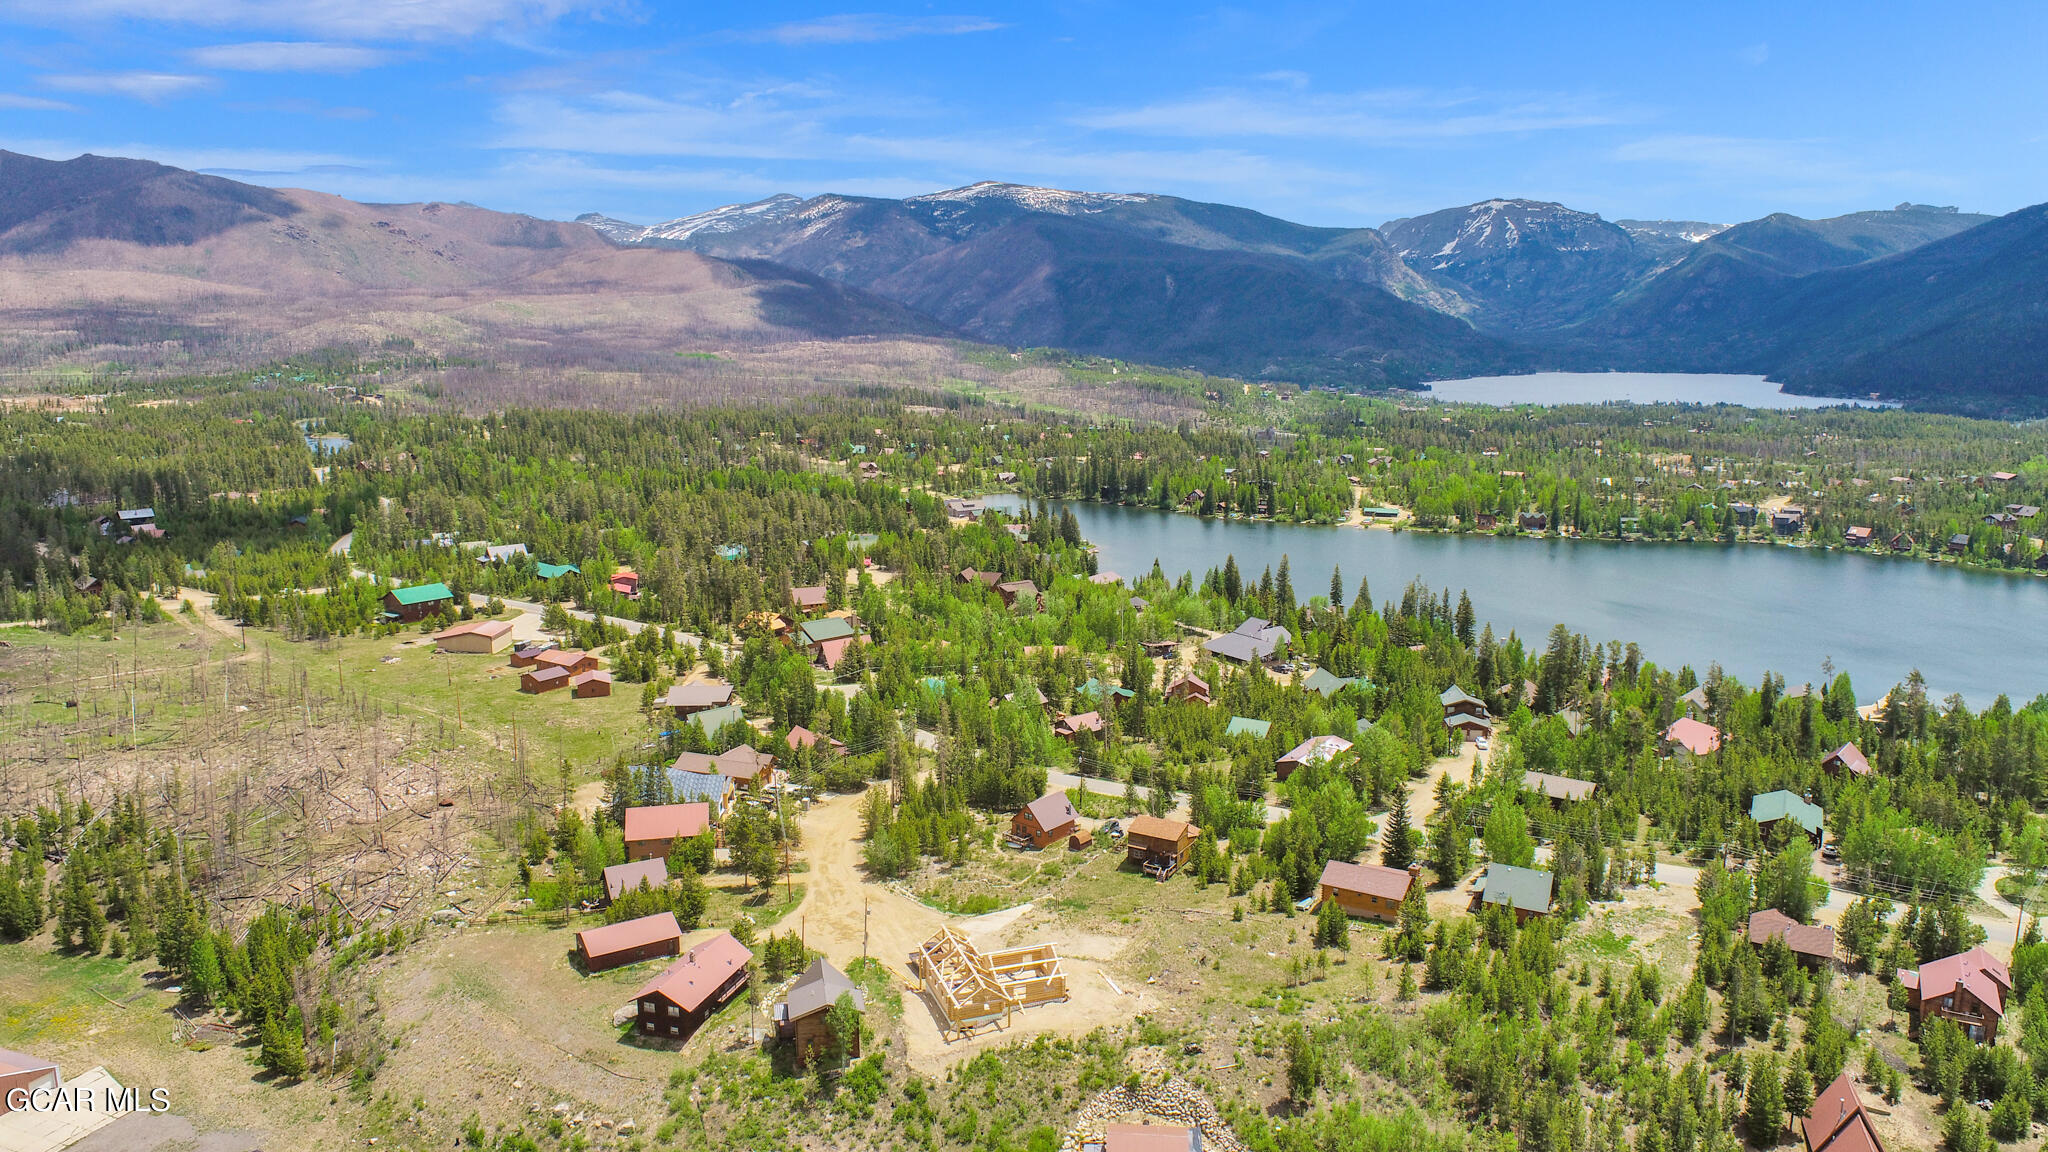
(1324, 114)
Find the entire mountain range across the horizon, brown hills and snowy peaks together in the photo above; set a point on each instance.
(105, 259)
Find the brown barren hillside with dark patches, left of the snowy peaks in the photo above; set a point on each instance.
(165, 272)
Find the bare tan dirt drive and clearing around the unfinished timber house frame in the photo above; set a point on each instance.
(841, 909)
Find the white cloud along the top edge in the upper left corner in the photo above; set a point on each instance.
(341, 19)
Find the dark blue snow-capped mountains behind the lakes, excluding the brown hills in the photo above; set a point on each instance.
(1531, 286)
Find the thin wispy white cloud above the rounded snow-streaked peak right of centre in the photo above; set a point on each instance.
(1367, 118)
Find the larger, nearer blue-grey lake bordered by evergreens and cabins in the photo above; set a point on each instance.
(1752, 608)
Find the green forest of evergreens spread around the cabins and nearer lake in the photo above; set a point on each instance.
(726, 511)
